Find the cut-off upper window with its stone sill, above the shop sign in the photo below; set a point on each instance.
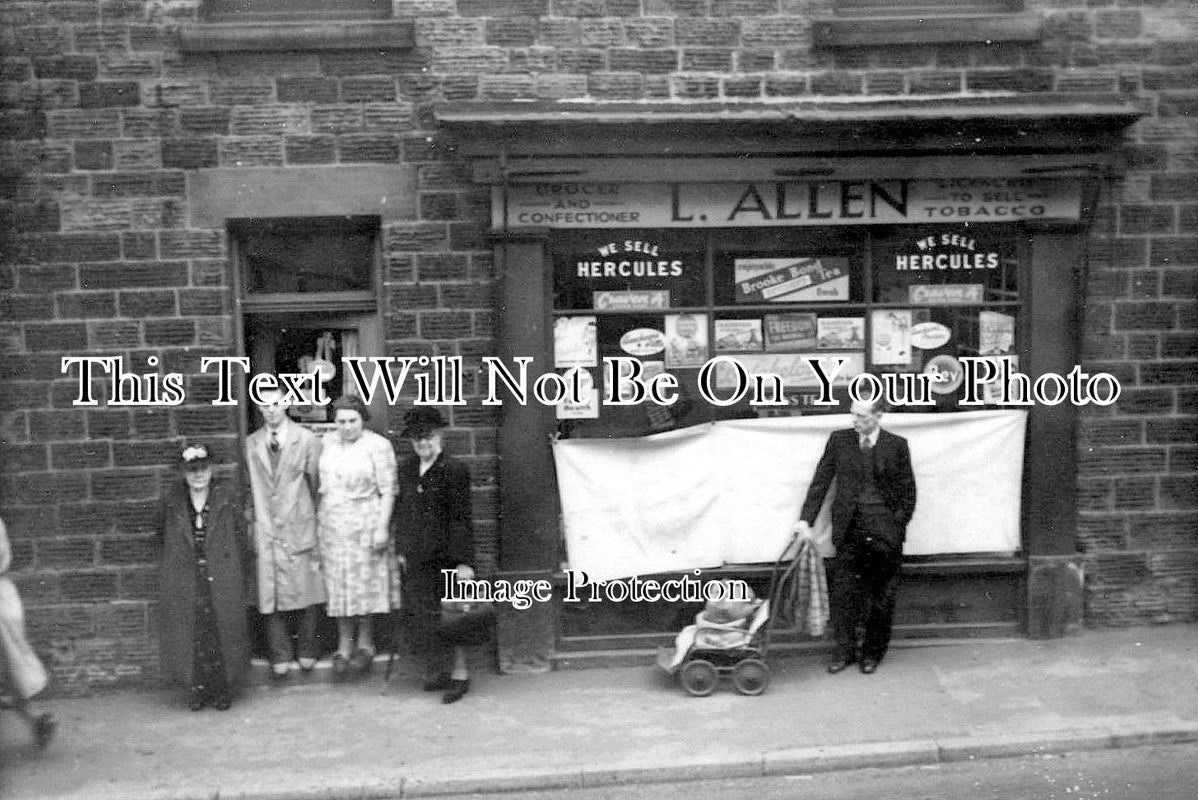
(919, 22)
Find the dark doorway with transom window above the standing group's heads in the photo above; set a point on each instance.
(308, 290)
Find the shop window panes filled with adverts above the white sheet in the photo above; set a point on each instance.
(906, 300)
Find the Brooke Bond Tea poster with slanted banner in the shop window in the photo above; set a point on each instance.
(789, 281)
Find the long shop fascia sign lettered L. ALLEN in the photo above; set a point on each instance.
(786, 203)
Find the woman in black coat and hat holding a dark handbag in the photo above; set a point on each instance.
(434, 532)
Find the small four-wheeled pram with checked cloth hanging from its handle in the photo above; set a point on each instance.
(716, 651)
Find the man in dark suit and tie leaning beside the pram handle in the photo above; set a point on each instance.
(875, 500)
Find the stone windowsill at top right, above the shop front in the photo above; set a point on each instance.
(957, 29)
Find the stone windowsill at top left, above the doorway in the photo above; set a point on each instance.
(263, 37)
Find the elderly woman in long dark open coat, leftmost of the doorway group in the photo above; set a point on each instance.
(205, 555)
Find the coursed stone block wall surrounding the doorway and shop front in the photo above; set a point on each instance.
(136, 130)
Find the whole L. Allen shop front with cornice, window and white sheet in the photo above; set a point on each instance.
(717, 283)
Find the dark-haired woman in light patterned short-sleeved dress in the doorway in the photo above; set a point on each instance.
(358, 492)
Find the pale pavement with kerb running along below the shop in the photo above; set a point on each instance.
(928, 704)
